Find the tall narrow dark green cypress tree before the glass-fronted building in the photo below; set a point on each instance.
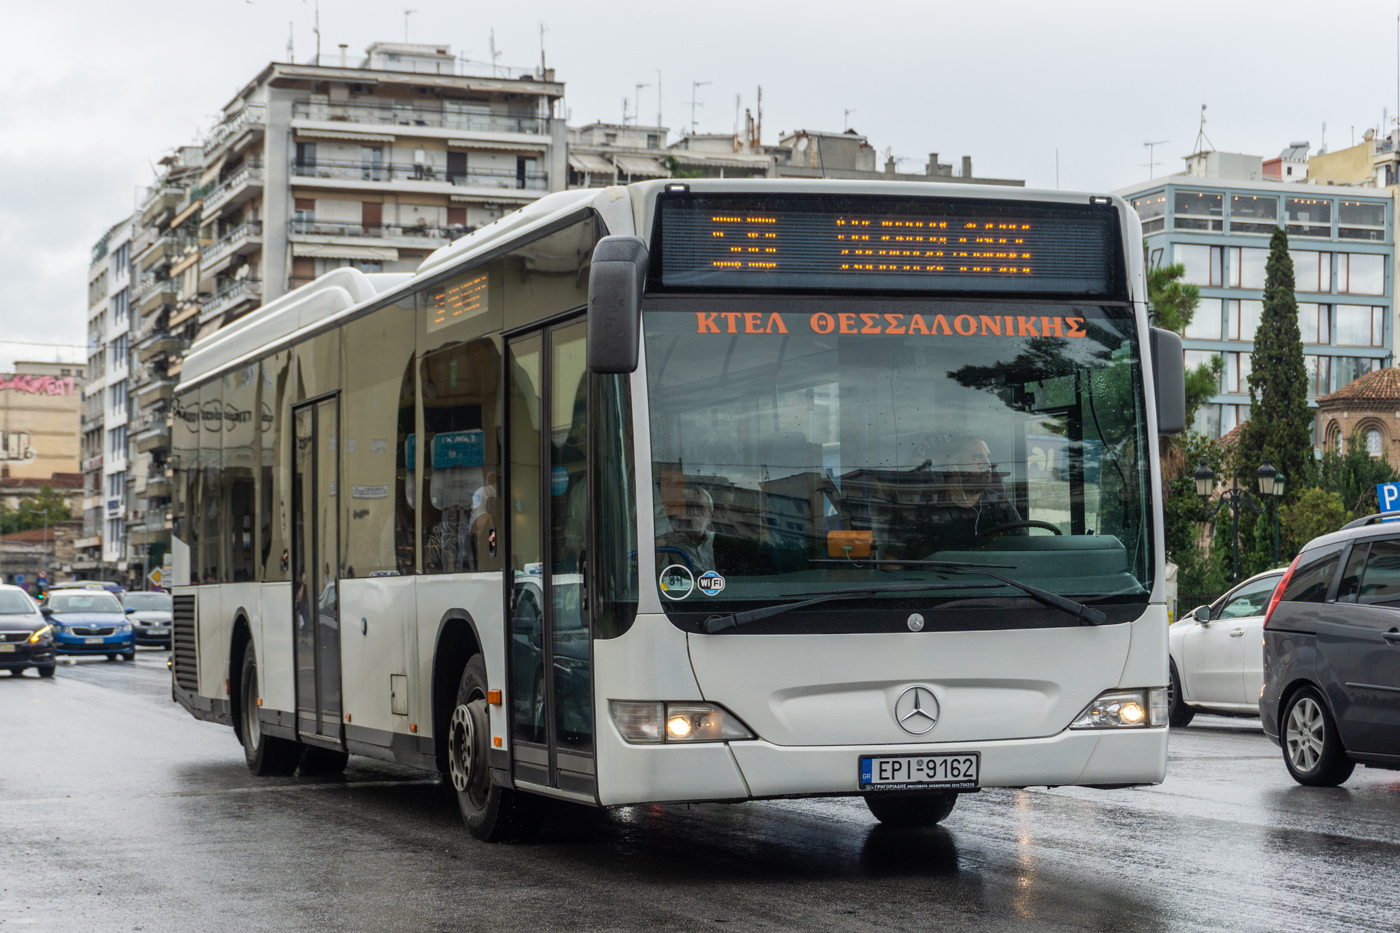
(1280, 427)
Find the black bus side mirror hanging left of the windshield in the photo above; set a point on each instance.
(615, 284)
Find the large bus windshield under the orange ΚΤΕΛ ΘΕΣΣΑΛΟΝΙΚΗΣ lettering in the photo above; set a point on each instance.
(808, 445)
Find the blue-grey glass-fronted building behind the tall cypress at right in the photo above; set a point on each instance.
(1219, 225)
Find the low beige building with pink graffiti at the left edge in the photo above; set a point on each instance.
(41, 411)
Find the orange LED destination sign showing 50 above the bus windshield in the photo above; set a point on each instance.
(909, 244)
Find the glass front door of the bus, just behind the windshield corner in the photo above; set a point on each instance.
(551, 655)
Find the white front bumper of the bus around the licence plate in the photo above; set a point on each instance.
(754, 770)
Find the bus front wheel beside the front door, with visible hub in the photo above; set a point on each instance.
(491, 813)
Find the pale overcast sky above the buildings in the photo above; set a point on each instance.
(94, 92)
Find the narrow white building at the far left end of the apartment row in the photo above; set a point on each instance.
(107, 403)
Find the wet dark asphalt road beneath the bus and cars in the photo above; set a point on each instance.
(118, 812)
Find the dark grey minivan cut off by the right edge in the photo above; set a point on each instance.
(1332, 655)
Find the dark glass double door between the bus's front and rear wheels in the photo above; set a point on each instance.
(316, 543)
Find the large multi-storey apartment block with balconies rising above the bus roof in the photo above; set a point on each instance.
(321, 166)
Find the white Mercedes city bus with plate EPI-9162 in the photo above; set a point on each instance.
(695, 491)
